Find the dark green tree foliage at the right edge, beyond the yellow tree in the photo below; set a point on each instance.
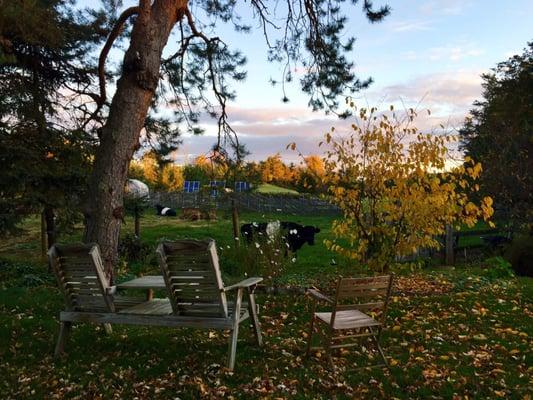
(499, 133)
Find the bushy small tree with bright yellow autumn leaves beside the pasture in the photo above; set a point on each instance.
(391, 183)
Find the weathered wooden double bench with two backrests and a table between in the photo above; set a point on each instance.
(90, 299)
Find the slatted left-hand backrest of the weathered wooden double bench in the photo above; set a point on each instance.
(80, 275)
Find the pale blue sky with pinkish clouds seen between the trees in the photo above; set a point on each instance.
(426, 53)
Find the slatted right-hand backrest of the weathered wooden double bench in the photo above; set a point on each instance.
(192, 276)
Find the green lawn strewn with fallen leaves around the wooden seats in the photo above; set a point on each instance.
(451, 333)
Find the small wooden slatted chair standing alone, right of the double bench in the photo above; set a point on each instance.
(357, 311)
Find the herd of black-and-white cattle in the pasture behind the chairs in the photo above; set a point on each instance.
(294, 234)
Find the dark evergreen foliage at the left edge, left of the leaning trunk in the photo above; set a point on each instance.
(43, 69)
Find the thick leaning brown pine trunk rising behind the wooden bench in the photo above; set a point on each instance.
(120, 135)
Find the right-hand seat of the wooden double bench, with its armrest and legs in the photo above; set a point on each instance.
(197, 294)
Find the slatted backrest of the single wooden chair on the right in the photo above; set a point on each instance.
(363, 294)
